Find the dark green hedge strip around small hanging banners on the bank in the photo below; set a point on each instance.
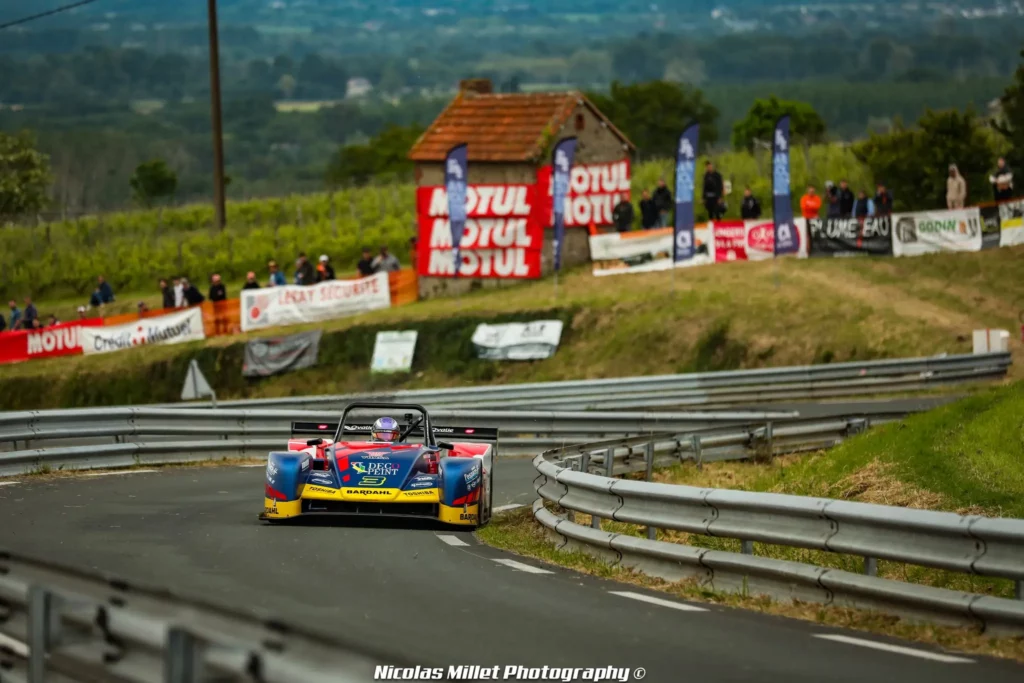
(444, 347)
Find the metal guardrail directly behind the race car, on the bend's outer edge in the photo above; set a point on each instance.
(125, 437)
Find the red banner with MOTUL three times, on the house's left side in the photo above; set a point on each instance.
(502, 238)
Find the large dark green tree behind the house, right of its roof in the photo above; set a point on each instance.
(653, 115)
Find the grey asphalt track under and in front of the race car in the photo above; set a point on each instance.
(413, 589)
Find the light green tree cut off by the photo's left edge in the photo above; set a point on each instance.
(25, 177)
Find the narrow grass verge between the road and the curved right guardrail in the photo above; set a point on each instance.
(518, 533)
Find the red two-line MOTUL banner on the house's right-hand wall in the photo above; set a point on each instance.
(593, 193)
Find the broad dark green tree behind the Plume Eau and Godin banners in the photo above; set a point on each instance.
(914, 163)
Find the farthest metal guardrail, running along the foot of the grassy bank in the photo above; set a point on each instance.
(705, 391)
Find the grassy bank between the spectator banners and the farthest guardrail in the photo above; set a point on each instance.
(705, 319)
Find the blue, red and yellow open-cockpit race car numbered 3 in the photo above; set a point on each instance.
(383, 467)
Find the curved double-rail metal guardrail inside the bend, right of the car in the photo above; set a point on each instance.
(966, 544)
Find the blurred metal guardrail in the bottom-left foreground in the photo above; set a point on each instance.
(62, 625)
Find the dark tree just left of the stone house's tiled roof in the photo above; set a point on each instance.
(385, 156)
